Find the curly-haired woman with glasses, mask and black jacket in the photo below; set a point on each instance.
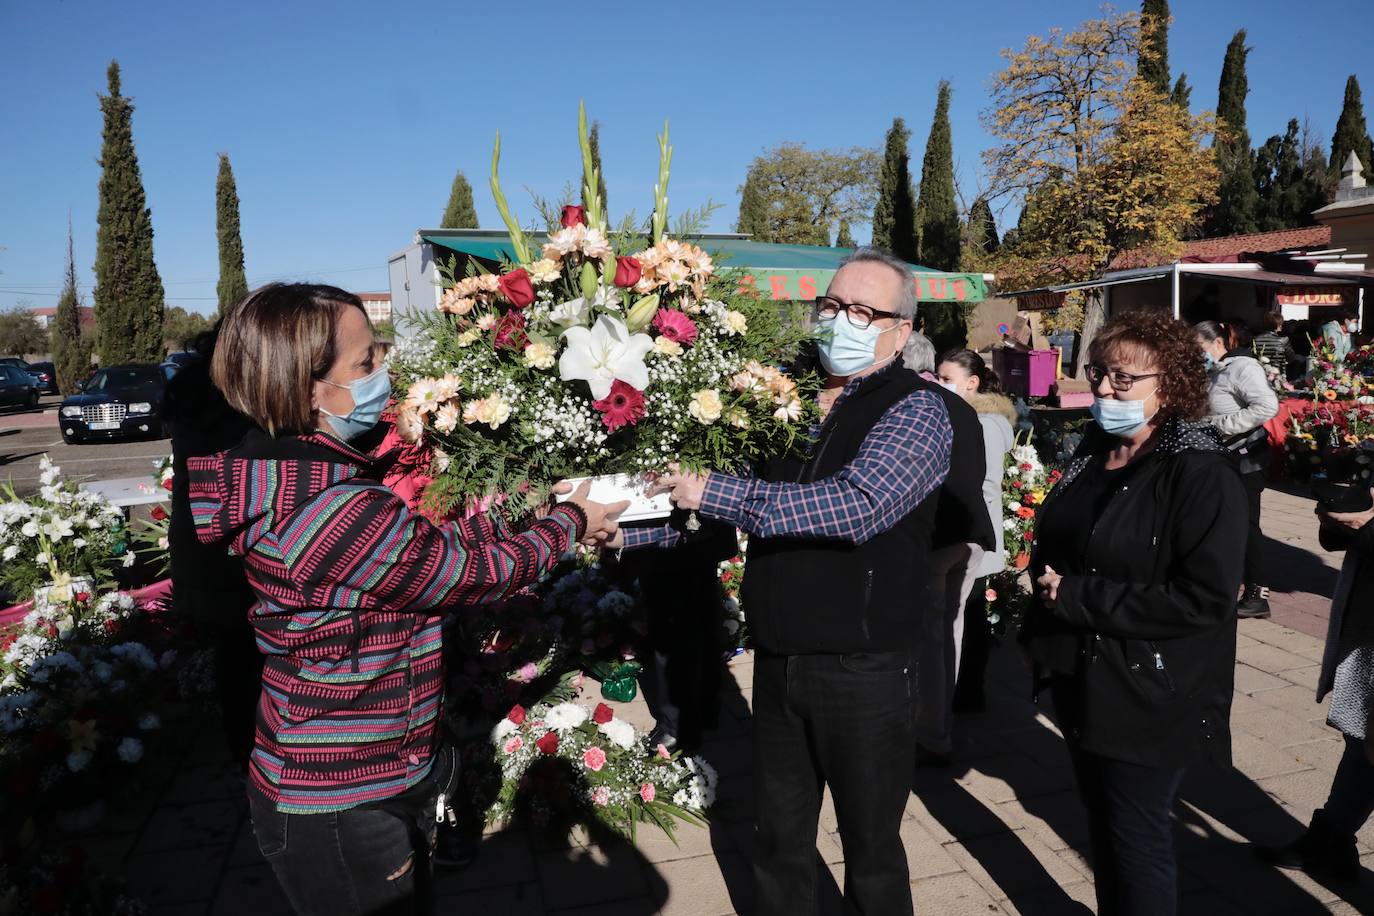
(1138, 560)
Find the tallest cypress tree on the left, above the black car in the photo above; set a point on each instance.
(128, 290)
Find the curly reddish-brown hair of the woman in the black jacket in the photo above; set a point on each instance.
(1155, 339)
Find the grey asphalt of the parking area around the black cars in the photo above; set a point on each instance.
(25, 436)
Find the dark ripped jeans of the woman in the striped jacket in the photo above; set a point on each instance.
(362, 862)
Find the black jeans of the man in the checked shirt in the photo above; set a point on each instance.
(844, 722)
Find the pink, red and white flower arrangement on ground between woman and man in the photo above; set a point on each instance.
(567, 763)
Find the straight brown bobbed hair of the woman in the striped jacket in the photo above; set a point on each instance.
(273, 347)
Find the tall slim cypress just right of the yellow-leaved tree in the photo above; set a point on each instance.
(1237, 198)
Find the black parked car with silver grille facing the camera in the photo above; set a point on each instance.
(116, 402)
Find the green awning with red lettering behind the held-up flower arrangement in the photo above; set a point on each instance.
(778, 271)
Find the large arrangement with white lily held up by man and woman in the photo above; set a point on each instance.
(598, 352)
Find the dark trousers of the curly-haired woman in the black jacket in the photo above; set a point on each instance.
(1134, 865)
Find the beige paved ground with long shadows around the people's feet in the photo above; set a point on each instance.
(1000, 833)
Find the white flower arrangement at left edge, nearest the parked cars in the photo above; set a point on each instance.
(58, 535)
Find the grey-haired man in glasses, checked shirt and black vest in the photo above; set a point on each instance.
(837, 556)
